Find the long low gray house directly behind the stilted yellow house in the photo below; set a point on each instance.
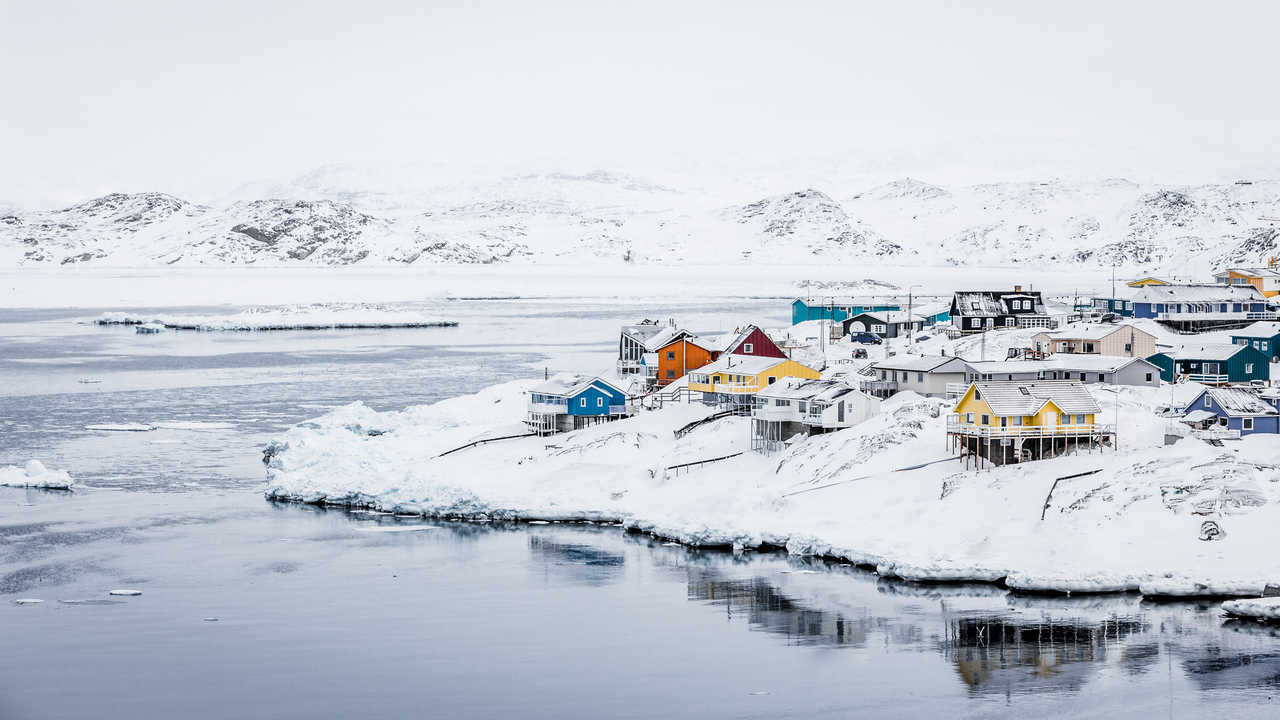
(1068, 367)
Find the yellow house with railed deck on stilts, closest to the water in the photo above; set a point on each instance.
(1014, 422)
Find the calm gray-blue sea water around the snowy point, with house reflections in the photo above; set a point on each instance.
(252, 609)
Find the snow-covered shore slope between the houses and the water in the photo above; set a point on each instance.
(1136, 526)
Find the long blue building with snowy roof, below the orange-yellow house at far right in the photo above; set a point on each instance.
(1197, 308)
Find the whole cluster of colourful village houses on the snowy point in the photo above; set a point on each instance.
(1020, 372)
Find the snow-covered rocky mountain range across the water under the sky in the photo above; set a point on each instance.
(331, 218)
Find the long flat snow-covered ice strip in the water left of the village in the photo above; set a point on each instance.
(322, 317)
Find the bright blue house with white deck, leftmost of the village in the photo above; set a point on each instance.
(573, 402)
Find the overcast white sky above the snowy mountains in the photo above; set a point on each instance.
(199, 98)
